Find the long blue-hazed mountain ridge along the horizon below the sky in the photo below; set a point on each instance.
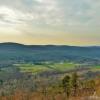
(14, 52)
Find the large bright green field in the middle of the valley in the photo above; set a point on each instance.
(45, 67)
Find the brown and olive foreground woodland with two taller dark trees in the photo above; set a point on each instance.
(69, 87)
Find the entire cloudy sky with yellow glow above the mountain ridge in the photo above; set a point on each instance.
(58, 22)
